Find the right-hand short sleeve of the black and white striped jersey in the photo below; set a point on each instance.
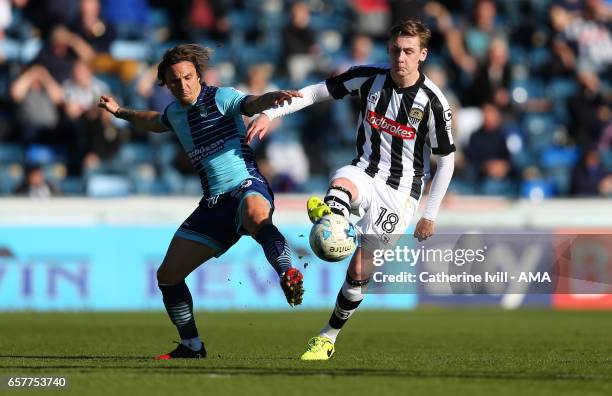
(440, 126)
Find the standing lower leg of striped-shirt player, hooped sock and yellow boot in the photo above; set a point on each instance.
(350, 296)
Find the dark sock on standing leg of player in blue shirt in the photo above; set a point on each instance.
(179, 306)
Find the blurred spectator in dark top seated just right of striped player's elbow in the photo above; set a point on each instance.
(487, 150)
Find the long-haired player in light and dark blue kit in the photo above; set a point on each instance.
(237, 199)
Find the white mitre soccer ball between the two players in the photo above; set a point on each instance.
(333, 238)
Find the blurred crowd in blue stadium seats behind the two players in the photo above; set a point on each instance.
(529, 82)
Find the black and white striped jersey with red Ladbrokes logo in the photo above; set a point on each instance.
(398, 128)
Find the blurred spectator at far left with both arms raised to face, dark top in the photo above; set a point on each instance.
(38, 97)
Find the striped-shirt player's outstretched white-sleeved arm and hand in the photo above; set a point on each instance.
(308, 95)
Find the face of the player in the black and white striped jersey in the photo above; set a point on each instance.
(405, 53)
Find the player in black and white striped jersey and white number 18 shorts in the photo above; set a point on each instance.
(403, 118)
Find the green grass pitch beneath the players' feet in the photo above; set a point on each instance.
(427, 351)
